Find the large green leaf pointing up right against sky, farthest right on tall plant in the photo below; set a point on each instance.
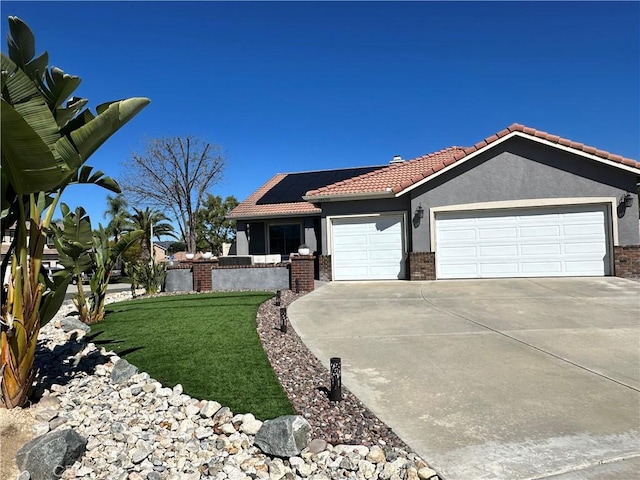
(98, 130)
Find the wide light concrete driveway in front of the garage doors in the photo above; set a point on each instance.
(492, 379)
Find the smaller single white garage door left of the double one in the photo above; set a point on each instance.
(367, 248)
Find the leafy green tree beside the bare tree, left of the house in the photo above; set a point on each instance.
(212, 227)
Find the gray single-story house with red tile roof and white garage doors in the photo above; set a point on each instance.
(521, 203)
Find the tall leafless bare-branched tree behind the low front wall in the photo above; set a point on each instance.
(172, 175)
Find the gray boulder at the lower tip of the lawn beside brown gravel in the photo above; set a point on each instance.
(284, 436)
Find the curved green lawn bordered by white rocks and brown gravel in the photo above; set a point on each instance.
(208, 343)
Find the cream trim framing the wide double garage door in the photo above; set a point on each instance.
(528, 203)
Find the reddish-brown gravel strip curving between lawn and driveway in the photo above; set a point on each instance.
(307, 382)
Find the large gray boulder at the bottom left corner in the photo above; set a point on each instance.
(46, 457)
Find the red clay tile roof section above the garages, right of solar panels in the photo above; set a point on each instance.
(398, 177)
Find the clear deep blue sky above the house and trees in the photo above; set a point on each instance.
(296, 86)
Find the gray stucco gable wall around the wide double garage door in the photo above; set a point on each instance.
(522, 169)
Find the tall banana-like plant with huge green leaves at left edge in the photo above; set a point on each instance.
(44, 149)
